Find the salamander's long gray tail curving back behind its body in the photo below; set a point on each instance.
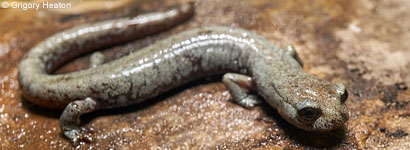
(56, 50)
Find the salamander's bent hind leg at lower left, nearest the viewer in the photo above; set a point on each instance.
(70, 120)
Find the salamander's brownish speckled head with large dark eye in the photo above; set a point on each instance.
(316, 106)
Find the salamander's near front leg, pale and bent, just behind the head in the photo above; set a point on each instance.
(236, 83)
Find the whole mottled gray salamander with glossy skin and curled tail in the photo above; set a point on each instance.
(249, 60)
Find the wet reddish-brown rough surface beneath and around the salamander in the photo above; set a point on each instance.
(361, 43)
